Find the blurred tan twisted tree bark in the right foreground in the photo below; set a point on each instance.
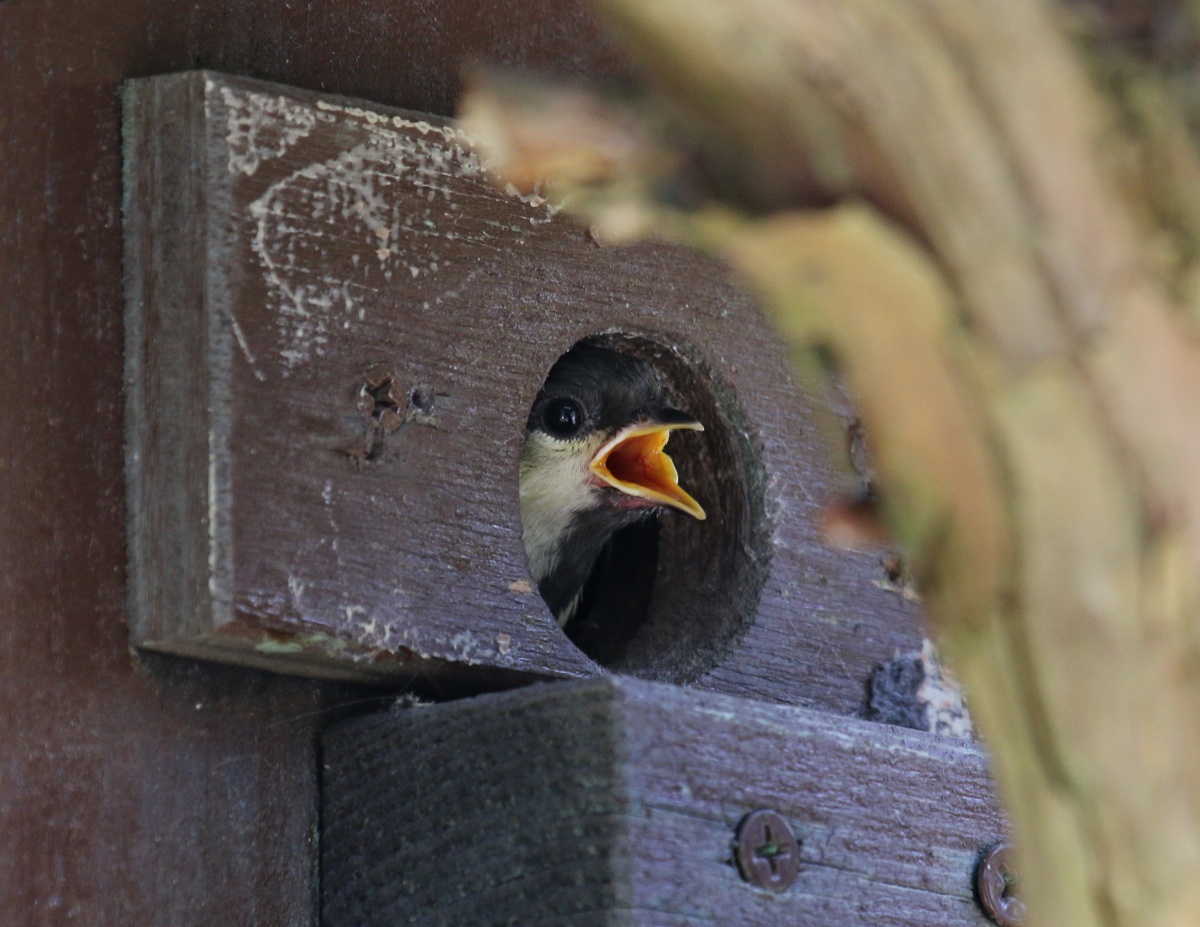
(1007, 278)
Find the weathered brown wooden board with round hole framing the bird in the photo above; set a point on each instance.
(335, 330)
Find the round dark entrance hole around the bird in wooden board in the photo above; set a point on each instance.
(670, 596)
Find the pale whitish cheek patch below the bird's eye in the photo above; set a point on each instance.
(555, 480)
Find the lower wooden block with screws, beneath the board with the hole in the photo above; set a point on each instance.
(615, 802)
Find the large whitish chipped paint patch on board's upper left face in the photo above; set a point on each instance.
(352, 199)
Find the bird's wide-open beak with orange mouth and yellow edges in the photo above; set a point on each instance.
(634, 462)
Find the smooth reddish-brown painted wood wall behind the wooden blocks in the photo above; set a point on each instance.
(139, 790)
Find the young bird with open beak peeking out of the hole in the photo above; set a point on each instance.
(593, 464)
